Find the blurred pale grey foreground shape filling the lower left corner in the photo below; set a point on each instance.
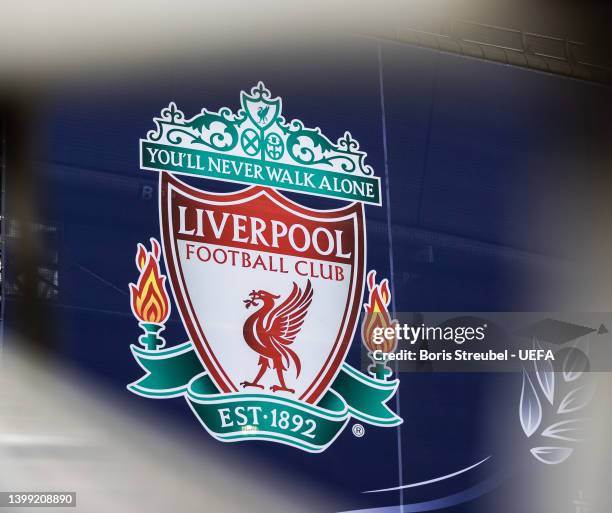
(57, 433)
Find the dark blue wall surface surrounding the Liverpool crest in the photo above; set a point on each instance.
(476, 175)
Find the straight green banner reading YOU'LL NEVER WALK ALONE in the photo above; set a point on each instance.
(250, 170)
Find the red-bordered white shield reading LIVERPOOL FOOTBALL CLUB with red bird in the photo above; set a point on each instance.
(269, 291)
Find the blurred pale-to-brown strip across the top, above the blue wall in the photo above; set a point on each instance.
(43, 43)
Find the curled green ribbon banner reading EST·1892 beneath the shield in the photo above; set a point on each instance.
(177, 371)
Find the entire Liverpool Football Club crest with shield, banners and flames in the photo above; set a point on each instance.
(270, 291)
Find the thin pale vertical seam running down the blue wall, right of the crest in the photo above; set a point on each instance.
(391, 259)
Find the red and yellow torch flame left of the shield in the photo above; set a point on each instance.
(150, 302)
